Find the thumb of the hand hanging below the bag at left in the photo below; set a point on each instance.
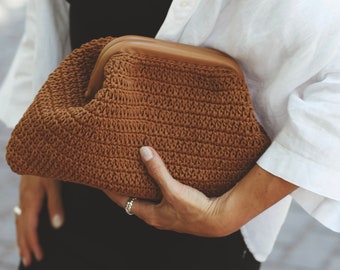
(54, 203)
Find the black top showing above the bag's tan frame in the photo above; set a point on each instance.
(100, 18)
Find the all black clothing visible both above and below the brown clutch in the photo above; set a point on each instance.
(99, 235)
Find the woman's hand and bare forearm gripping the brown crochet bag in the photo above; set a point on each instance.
(186, 210)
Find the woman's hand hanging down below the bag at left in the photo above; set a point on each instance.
(33, 191)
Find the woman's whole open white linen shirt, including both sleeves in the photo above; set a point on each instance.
(290, 54)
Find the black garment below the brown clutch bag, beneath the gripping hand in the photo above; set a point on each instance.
(98, 235)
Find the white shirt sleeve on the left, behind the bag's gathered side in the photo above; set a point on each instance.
(43, 45)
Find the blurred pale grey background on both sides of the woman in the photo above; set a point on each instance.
(303, 243)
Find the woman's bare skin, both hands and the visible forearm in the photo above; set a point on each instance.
(182, 209)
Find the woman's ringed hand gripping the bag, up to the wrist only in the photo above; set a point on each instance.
(182, 209)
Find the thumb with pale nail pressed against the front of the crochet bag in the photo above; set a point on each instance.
(158, 170)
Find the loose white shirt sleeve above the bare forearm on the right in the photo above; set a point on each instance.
(306, 150)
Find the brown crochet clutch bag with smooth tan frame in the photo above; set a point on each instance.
(114, 95)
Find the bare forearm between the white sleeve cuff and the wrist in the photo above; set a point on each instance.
(257, 191)
